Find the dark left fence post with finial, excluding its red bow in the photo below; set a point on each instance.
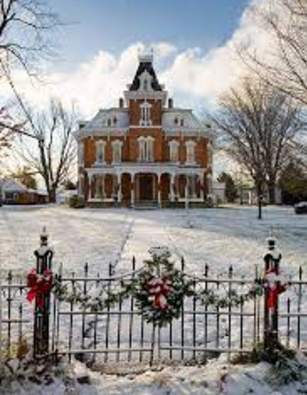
(42, 310)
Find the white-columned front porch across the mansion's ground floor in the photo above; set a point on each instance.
(146, 186)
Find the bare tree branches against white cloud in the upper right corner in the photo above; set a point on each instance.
(285, 66)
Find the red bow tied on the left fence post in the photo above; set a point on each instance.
(40, 285)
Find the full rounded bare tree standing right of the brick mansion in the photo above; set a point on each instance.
(256, 124)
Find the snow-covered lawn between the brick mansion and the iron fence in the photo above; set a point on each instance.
(218, 237)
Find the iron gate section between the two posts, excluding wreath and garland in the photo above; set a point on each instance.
(120, 332)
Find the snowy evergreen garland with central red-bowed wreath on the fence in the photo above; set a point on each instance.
(158, 289)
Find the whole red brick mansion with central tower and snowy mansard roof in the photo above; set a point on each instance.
(145, 151)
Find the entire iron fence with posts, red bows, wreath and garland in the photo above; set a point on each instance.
(157, 311)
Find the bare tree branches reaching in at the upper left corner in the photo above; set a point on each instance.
(26, 28)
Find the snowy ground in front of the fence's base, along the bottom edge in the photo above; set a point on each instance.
(217, 377)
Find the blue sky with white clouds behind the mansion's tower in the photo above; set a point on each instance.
(193, 43)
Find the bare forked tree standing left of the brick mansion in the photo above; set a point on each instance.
(53, 156)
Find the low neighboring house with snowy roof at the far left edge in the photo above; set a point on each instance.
(13, 192)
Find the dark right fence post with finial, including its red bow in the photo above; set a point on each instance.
(272, 260)
